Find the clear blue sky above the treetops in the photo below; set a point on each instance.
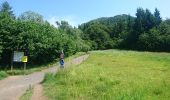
(80, 11)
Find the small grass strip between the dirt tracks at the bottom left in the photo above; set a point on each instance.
(27, 95)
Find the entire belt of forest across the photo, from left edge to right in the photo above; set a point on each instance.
(42, 42)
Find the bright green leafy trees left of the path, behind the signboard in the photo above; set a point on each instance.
(40, 41)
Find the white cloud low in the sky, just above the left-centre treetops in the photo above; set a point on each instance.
(72, 20)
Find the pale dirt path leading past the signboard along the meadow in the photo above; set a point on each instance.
(13, 87)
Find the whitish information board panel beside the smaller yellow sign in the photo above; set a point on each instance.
(18, 56)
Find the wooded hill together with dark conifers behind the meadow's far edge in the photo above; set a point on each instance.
(147, 31)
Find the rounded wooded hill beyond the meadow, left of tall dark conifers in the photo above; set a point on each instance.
(107, 32)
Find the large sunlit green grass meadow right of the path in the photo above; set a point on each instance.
(113, 75)
